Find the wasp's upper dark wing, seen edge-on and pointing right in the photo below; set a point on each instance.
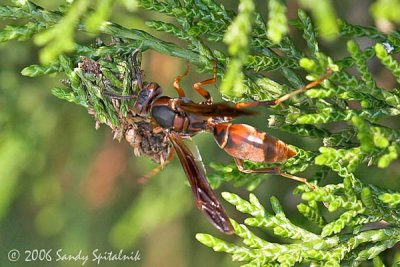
(215, 110)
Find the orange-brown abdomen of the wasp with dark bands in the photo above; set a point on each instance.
(246, 142)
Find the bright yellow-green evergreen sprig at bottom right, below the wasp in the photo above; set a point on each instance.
(313, 248)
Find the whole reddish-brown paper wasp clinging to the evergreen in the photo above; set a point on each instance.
(179, 118)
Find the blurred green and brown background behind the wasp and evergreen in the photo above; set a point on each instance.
(65, 185)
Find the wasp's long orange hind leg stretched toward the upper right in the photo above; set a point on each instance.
(285, 97)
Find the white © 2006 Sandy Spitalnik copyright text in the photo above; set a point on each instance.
(52, 255)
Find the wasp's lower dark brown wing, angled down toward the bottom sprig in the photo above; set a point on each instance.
(206, 199)
